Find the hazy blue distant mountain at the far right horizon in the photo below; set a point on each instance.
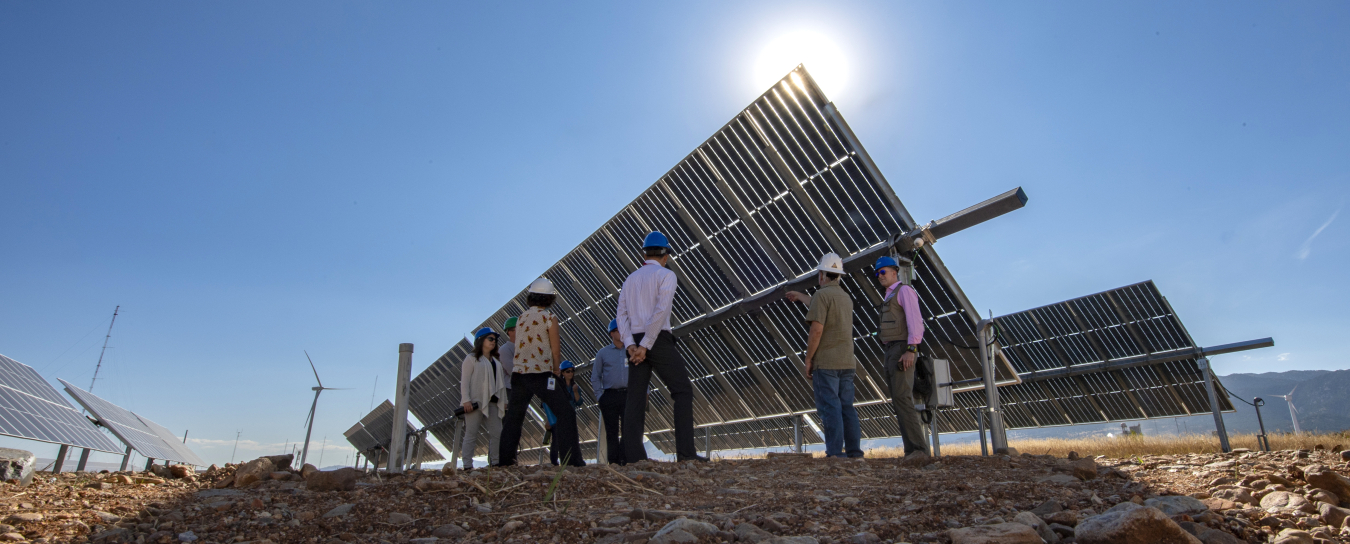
(1322, 399)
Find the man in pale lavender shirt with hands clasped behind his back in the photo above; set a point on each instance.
(645, 326)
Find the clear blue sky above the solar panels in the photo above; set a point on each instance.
(250, 180)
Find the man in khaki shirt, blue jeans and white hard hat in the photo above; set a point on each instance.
(830, 358)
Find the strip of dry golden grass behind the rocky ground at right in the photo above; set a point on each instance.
(1133, 446)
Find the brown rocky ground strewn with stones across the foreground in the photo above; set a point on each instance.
(1286, 497)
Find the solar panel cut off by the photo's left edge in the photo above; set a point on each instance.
(32, 410)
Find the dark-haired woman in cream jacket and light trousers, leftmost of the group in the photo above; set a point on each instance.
(483, 391)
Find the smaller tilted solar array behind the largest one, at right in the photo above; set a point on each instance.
(1121, 323)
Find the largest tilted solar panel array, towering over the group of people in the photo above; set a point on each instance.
(749, 213)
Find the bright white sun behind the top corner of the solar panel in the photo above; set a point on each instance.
(824, 59)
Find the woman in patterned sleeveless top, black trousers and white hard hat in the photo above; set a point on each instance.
(537, 371)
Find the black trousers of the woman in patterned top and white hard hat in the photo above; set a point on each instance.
(526, 388)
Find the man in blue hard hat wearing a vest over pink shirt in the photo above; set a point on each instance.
(901, 333)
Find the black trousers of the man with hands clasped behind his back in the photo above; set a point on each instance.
(664, 360)
